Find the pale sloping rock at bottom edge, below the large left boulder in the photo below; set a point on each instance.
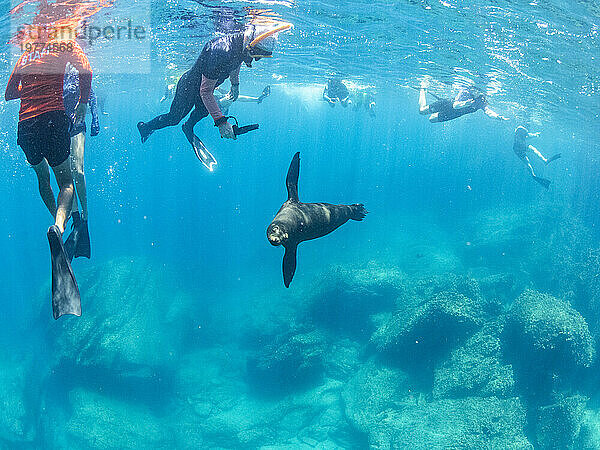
(103, 422)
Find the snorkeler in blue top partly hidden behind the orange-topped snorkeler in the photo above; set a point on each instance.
(78, 242)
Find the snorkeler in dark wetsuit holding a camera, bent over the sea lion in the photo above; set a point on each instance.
(220, 59)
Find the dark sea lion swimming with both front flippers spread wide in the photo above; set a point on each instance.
(297, 222)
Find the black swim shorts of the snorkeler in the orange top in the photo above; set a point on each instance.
(45, 136)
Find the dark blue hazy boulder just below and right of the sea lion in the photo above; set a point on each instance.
(347, 297)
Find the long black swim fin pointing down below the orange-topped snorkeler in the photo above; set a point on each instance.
(65, 293)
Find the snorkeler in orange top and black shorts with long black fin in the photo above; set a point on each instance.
(43, 135)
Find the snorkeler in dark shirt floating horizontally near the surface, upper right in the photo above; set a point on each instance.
(467, 101)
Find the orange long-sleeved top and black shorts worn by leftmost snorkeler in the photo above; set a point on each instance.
(37, 79)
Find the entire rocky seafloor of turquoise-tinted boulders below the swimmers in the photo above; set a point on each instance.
(499, 352)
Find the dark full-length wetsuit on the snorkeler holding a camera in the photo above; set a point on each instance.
(220, 59)
